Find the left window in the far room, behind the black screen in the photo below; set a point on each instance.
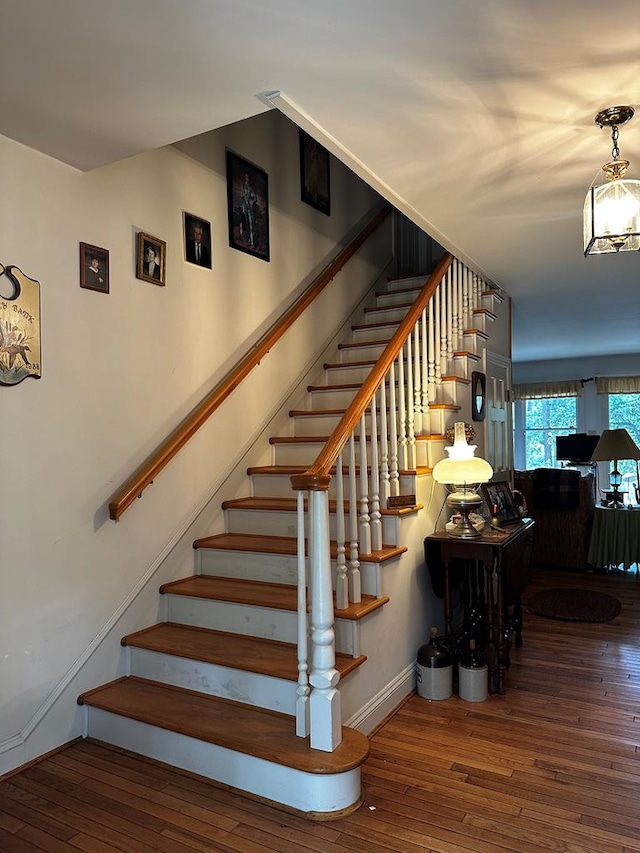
(544, 419)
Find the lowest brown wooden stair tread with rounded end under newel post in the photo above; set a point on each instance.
(241, 728)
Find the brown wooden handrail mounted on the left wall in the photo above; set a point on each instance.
(146, 474)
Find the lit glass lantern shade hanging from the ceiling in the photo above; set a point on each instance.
(611, 217)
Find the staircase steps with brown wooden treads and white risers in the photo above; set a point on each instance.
(213, 689)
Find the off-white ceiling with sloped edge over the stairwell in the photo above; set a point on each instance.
(474, 118)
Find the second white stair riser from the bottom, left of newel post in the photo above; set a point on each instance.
(275, 694)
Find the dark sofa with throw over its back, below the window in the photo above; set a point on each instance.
(562, 504)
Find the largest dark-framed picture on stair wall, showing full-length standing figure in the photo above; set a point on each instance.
(248, 207)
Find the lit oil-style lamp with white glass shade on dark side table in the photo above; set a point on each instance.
(462, 472)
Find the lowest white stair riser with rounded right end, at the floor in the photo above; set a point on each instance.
(305, 792)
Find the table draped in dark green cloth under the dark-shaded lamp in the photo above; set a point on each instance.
(615, 537)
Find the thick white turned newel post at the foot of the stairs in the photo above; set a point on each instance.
(326, 719)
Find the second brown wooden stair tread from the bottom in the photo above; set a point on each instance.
(237, 651)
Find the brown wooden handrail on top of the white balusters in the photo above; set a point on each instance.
(317, 477)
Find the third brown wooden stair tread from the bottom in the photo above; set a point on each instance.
(279, 596)
